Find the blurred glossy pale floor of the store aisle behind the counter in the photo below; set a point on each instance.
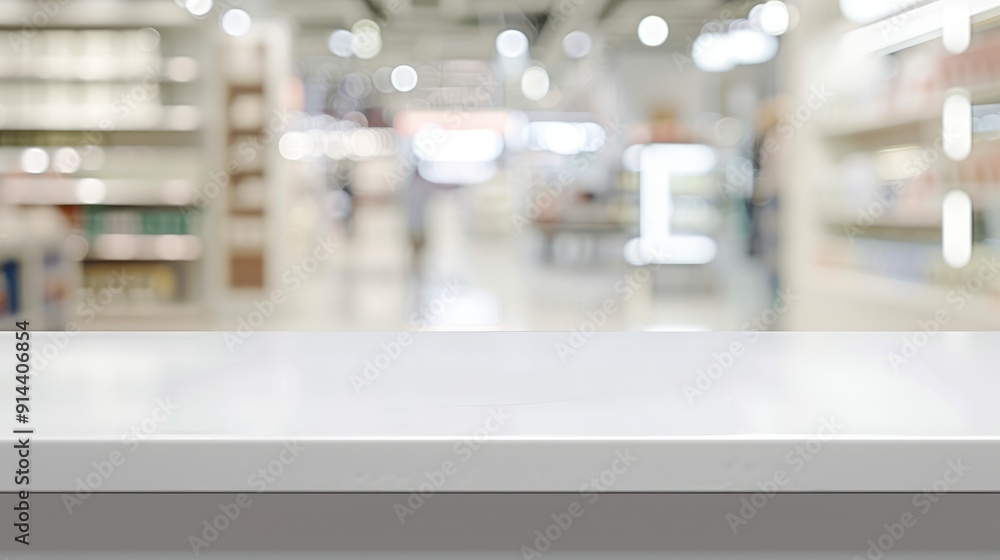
(469, 281)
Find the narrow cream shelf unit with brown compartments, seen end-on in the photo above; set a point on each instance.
(255, 70)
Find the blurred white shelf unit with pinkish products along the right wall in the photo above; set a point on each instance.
(877, 176)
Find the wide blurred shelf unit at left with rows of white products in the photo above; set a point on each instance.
(104, 122)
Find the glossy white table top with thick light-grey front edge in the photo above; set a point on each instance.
(815, 411)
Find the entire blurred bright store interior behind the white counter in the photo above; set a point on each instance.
(496, 165)
